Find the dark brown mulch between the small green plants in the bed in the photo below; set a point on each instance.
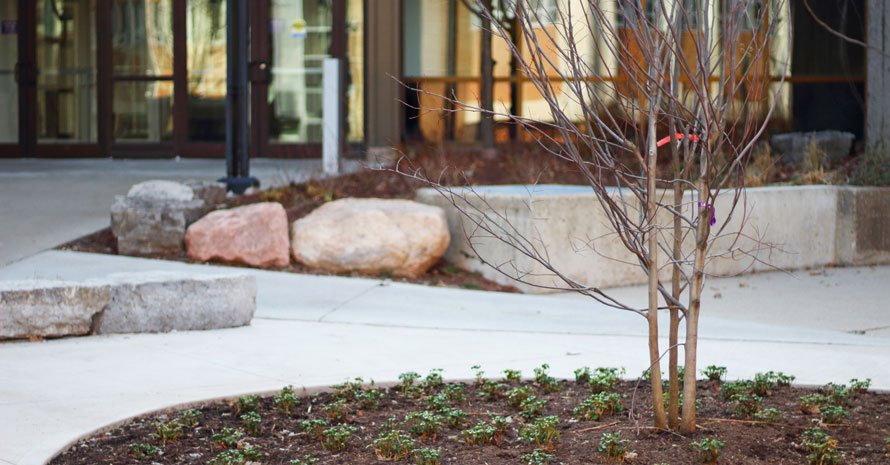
(747, 442)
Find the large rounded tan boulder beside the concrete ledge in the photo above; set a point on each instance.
(371, 236)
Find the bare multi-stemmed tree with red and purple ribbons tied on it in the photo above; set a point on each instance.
(691, 76)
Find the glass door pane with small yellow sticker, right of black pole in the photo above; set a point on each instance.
(301, 37)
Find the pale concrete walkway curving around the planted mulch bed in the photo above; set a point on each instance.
(316, 331)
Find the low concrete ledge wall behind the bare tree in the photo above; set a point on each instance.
(781, 227)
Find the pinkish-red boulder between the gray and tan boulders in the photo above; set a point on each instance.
(255, 235)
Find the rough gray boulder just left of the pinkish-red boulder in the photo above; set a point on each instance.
(152, 217)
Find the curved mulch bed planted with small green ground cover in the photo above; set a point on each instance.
(405, 427)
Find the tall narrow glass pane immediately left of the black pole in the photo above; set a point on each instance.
(206, 30)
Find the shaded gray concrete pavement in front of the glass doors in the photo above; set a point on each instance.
(44, 203)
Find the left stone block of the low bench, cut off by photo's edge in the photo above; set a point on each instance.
(49, 308)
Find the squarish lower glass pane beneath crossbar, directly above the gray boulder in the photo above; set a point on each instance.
(143, 111)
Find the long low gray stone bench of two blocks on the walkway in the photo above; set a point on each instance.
(125, 303)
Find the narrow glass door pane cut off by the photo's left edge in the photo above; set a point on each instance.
(9, 91)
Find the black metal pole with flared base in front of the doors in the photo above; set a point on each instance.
(237, 161)
